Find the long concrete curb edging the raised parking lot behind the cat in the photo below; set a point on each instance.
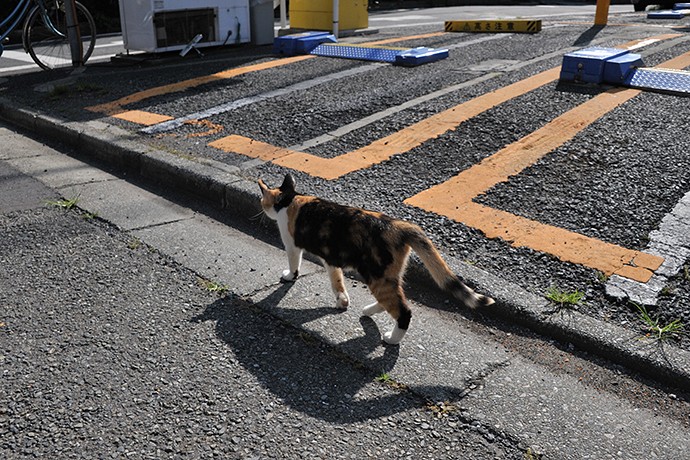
(221, 185)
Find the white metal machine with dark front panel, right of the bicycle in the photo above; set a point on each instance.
(170, 25)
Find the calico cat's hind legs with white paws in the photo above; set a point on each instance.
(390, 297)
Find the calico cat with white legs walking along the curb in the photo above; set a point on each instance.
(373, 244)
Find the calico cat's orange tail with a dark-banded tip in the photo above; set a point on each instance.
(439, 270)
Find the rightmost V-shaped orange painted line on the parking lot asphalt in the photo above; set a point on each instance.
(453, 198)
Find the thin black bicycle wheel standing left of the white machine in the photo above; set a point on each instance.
(49, 49)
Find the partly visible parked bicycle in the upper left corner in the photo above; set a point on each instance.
(44, 32)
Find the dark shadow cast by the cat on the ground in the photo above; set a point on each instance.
(303, 371)
